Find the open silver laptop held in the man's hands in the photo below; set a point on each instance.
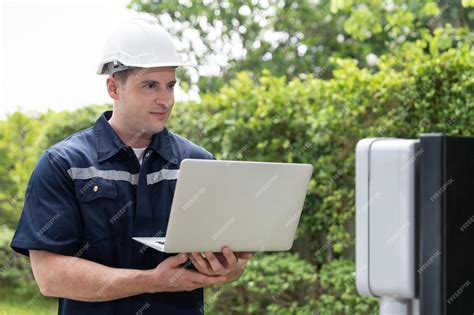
(248, 206)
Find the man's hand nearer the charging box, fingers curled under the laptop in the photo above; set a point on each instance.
(228, 264)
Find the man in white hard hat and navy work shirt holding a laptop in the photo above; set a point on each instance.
(92, 192)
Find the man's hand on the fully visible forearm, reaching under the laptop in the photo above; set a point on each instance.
(171, 275)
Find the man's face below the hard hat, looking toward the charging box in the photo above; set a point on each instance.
(146, 99)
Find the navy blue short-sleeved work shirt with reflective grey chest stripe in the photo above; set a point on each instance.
(88, 196)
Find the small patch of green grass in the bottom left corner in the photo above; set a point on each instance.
(26, 303)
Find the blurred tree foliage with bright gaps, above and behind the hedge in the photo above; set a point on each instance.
(291, 38)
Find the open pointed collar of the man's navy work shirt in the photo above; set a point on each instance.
(109, 143)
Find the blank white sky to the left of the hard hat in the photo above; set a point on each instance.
(49, 51)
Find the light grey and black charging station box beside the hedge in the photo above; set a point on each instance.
(415, 224)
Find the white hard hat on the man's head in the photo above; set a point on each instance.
(140, 42)
